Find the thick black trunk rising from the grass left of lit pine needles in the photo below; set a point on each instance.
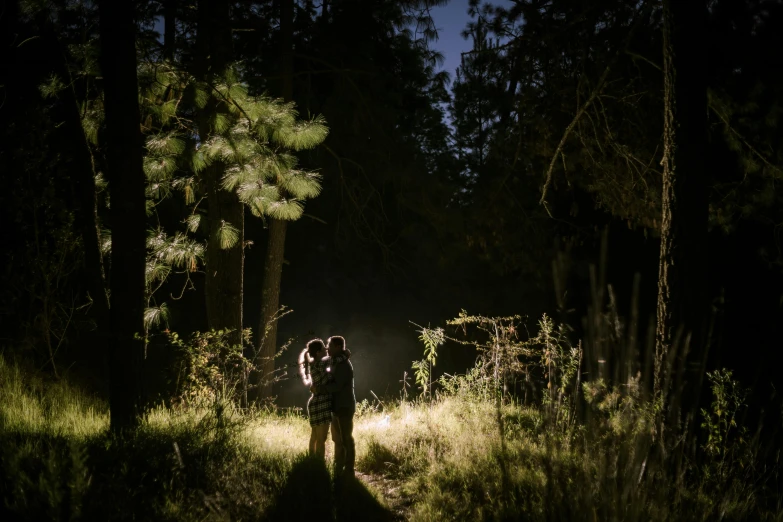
(128, 209)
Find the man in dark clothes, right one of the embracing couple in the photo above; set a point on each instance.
(343, 406)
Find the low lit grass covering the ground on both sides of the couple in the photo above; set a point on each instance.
(445, 457)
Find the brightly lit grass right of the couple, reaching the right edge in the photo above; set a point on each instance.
(449, 459)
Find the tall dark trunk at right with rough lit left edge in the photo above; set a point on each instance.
(682, 280)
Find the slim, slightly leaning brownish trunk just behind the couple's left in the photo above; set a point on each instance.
(273, 266)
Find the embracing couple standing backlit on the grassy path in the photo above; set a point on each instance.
(327, 370)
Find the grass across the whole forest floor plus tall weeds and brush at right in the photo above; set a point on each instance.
(583, 439)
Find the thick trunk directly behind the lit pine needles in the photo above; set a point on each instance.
(224, 266)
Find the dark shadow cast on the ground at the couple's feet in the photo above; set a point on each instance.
(309, 494)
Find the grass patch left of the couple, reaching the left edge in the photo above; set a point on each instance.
(59, 461)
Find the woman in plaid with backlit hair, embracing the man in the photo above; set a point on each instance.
(313, 369)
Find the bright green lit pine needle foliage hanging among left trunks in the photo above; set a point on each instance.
(253, 138)
